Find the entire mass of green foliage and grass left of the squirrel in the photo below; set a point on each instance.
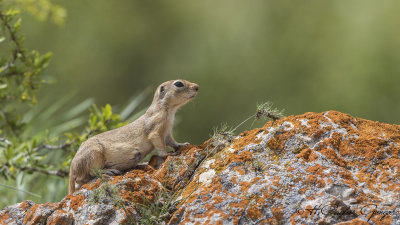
(40, 139)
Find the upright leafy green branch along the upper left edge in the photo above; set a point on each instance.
(20, 74)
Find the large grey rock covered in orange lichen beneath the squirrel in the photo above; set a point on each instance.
(316, 168)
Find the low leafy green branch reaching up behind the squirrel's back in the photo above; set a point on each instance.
(30, 155)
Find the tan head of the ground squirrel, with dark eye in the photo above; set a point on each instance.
(175, 93)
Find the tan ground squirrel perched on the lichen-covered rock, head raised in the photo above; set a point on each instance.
(123, 148)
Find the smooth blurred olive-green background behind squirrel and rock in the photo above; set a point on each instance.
(302, 55)
